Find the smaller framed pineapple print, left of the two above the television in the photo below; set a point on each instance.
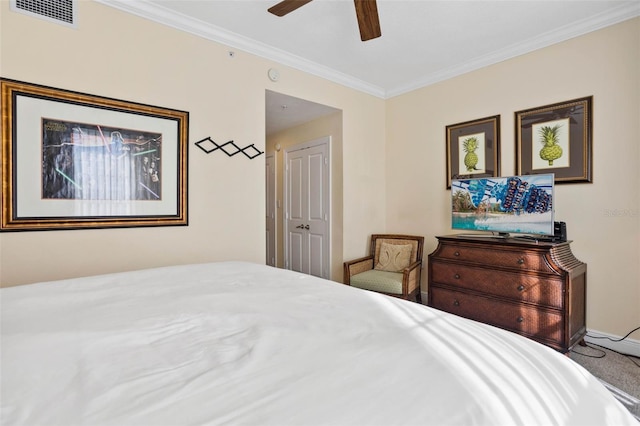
(473, 149)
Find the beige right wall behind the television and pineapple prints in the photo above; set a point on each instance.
(603, 218)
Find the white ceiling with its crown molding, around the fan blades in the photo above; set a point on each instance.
(423, 41)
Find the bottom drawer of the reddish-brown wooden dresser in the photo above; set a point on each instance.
(541, 324)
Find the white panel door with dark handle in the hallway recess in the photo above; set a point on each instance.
(307, 208)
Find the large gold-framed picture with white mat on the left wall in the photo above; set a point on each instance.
(72, 160)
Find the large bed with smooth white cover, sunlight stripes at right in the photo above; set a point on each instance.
(239, 343)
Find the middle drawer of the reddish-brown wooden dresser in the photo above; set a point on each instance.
(518, 287)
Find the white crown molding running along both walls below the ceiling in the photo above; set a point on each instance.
(172, 19)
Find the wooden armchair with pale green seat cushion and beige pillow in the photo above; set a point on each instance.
(393, 267)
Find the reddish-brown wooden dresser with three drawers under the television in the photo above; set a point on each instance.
(536, 289)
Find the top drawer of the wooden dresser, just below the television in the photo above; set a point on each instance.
(505, 258)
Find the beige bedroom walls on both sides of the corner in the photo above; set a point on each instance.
(393, 152)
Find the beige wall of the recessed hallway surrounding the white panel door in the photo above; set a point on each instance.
(331, 126)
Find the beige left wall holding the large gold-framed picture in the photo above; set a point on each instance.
(141, 61)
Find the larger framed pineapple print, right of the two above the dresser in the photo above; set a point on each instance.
(556, 139)
